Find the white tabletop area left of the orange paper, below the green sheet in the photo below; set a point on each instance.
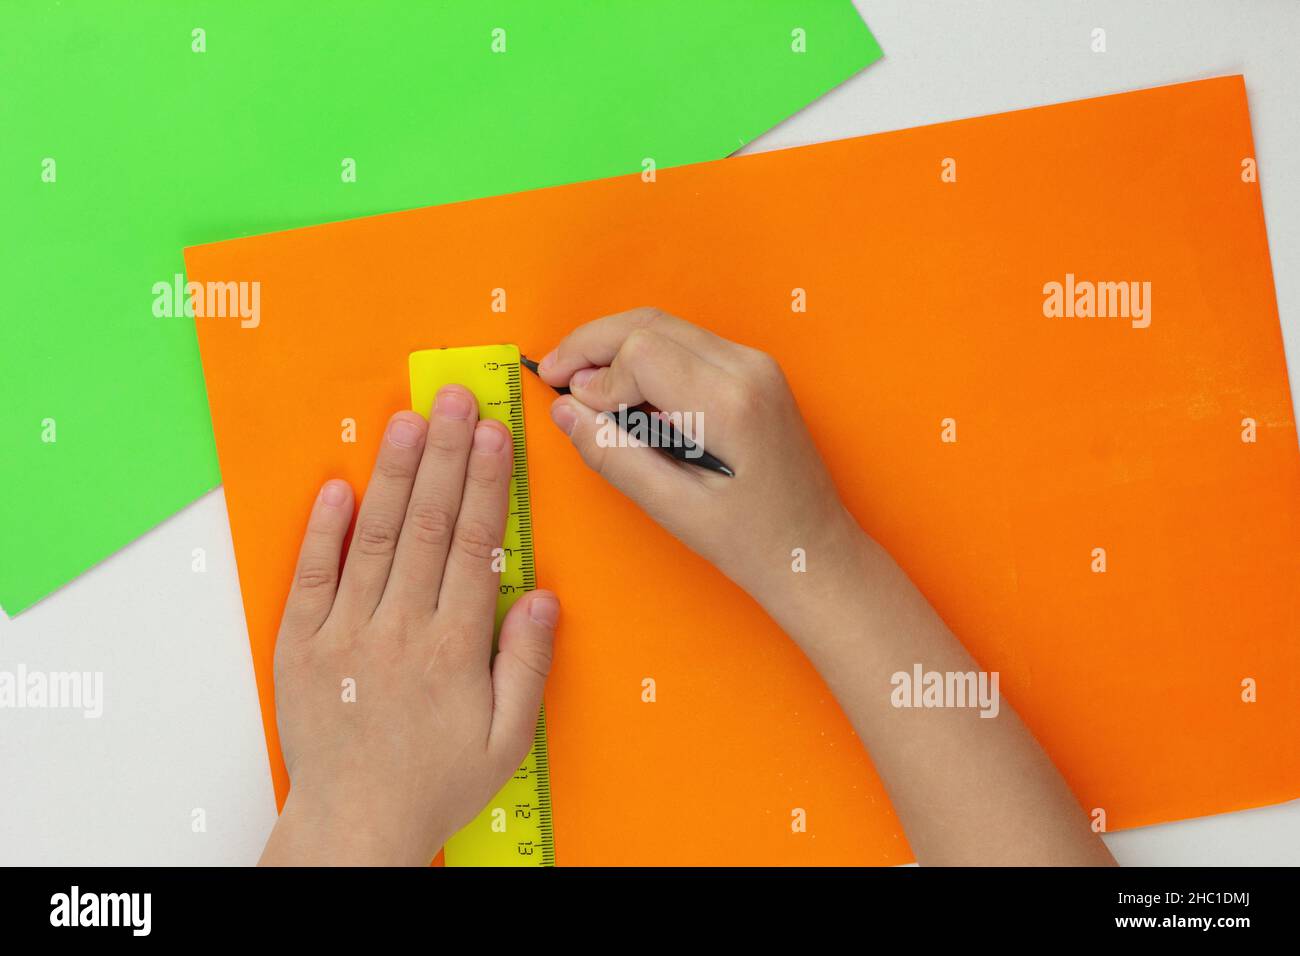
(181, 729)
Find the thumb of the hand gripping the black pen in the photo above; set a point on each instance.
(644, 474)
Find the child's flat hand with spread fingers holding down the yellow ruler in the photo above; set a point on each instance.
(397, 726)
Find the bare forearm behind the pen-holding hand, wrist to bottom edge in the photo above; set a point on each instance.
(968, 789)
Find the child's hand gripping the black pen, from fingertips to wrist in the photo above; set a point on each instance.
(782, 496)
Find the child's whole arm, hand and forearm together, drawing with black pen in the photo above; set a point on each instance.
(968, 790)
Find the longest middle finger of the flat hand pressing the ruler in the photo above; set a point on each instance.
(431, 518)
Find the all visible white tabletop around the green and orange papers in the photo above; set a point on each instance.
(181, 728)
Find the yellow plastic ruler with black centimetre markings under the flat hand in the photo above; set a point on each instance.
(515, 828)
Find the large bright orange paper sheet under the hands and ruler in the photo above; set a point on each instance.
(926, 258)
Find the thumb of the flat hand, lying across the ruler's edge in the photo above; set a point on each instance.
(519, 674)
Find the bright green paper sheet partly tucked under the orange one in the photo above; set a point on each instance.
(158, 148)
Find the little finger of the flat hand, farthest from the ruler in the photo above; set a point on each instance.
(317, 576)
